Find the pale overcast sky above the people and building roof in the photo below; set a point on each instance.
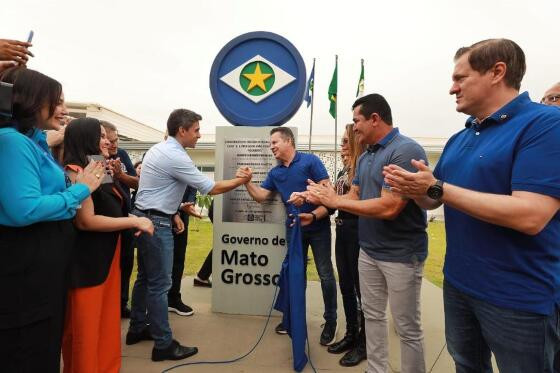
(146, 60)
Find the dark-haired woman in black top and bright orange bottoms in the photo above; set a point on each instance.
(91, 341)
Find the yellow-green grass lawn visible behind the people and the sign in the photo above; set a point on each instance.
(200, 243)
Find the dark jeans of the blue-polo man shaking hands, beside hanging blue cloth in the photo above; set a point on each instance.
(320, 242)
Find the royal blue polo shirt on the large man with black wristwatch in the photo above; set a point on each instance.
(515, 149)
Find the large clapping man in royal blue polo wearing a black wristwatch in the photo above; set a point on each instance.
(499, 182)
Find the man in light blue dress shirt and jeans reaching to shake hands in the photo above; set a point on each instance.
(166, 172)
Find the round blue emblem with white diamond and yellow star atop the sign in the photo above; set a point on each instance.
(258, 79)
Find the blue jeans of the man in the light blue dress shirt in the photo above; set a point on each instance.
(149, 295)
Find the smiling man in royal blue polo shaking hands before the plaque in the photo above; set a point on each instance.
(290, 176)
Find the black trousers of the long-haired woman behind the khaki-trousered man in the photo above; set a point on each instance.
(347, 250)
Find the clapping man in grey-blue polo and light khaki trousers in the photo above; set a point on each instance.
(392, 236)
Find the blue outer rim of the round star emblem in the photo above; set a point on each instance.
(274, 120)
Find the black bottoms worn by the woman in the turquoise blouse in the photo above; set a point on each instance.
(34, 264)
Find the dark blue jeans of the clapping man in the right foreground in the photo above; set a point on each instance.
(522, 342)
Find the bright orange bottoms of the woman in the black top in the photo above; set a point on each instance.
(92, 331)
